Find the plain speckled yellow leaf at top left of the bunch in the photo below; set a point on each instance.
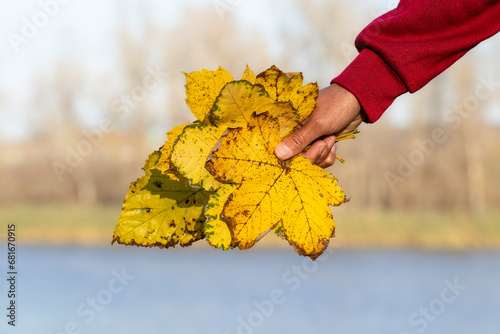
(202, 88)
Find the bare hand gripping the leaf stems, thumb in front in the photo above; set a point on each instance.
(338, 111)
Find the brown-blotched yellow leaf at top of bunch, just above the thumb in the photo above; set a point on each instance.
(287, 87)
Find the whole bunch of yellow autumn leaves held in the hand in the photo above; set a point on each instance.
(218, 177)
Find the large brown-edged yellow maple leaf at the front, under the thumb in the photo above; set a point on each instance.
(295, 192)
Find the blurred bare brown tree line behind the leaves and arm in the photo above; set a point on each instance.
(445, 159)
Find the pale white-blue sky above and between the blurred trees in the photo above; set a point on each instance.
(82, 31)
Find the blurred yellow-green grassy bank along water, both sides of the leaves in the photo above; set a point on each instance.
(94, 225)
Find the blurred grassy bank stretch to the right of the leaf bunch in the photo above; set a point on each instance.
(428, 230)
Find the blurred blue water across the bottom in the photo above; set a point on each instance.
(137, 290)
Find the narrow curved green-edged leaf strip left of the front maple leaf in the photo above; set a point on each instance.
(216, 228)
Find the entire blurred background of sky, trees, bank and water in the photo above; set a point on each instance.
(89, 88)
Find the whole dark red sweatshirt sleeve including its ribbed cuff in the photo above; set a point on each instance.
(407, 47)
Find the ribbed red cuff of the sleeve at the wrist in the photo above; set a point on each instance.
(373, 82)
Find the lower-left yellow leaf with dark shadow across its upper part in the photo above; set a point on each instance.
(159, 211)
